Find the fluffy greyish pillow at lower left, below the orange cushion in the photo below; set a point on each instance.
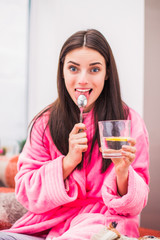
(10, 210)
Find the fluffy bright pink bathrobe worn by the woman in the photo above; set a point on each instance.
(87, 200)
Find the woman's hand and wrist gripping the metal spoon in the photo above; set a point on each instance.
(77, 145)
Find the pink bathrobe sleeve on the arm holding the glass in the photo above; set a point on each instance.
(135, 200)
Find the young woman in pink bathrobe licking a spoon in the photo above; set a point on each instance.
(70, 191)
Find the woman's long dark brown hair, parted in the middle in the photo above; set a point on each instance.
(64, 113)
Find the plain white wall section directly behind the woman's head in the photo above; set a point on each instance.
(122, 23)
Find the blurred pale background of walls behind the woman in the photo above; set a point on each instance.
(32, 33)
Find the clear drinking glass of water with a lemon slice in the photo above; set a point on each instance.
(113, 135)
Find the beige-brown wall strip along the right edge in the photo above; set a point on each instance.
(151, 214)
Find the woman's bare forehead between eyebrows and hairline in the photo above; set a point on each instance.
(84, 54)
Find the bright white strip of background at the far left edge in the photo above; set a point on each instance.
(13, 73)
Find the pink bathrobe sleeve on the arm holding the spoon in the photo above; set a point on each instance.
(39, 182)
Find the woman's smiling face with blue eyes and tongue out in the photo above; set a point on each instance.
(84, 73)
